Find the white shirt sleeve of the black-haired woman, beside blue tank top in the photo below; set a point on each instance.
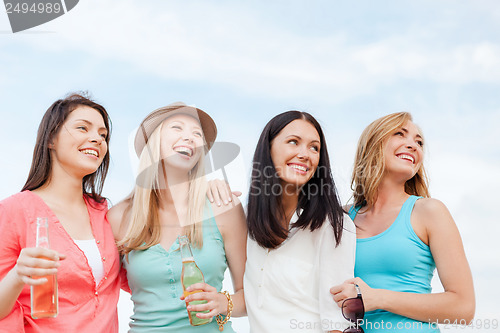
(336, 265)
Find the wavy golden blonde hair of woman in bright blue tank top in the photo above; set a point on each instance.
(369, 163)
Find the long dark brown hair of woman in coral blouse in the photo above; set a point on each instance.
(51, 123)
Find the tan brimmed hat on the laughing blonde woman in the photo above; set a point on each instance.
(155, 118)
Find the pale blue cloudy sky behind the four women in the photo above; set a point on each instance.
(243, 62)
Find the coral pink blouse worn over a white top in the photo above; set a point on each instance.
(83, 305)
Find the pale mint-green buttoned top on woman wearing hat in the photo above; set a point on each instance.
(154, 277)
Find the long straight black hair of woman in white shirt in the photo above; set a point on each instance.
(318, 199)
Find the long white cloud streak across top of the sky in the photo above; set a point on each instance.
(228, 44)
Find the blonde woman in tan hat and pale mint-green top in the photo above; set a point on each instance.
(169, 200)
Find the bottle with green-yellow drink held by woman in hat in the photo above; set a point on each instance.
(191, 274)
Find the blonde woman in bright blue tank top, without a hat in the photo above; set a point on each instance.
(402, 235)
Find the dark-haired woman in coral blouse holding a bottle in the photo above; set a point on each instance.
(70, 163)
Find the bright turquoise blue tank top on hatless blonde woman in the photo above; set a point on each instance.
(397, 260)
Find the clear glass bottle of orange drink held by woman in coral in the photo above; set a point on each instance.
(44, 301)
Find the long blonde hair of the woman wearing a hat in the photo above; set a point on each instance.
(144, 229)
